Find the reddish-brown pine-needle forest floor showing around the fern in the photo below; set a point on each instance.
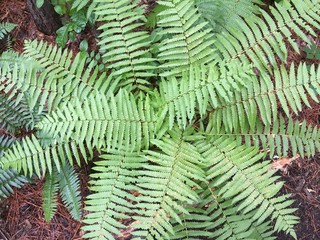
(21, 215)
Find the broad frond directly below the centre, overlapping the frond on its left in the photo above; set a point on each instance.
(167, 185)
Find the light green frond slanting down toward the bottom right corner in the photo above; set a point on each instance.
(243, 184)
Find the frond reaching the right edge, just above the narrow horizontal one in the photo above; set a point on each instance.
(263, 96)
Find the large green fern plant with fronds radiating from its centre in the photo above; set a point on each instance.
(183, 118)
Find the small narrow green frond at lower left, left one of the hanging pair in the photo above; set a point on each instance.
(49, 196)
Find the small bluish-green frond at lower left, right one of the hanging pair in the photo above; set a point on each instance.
(69, 186)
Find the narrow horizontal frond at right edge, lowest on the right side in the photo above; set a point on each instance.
(283, 137)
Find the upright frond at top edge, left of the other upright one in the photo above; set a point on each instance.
(124, 46)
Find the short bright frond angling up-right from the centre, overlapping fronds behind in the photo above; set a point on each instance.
(199, 89)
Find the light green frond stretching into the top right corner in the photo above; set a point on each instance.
(261, 40)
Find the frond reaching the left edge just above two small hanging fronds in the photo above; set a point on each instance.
(30, 157)
